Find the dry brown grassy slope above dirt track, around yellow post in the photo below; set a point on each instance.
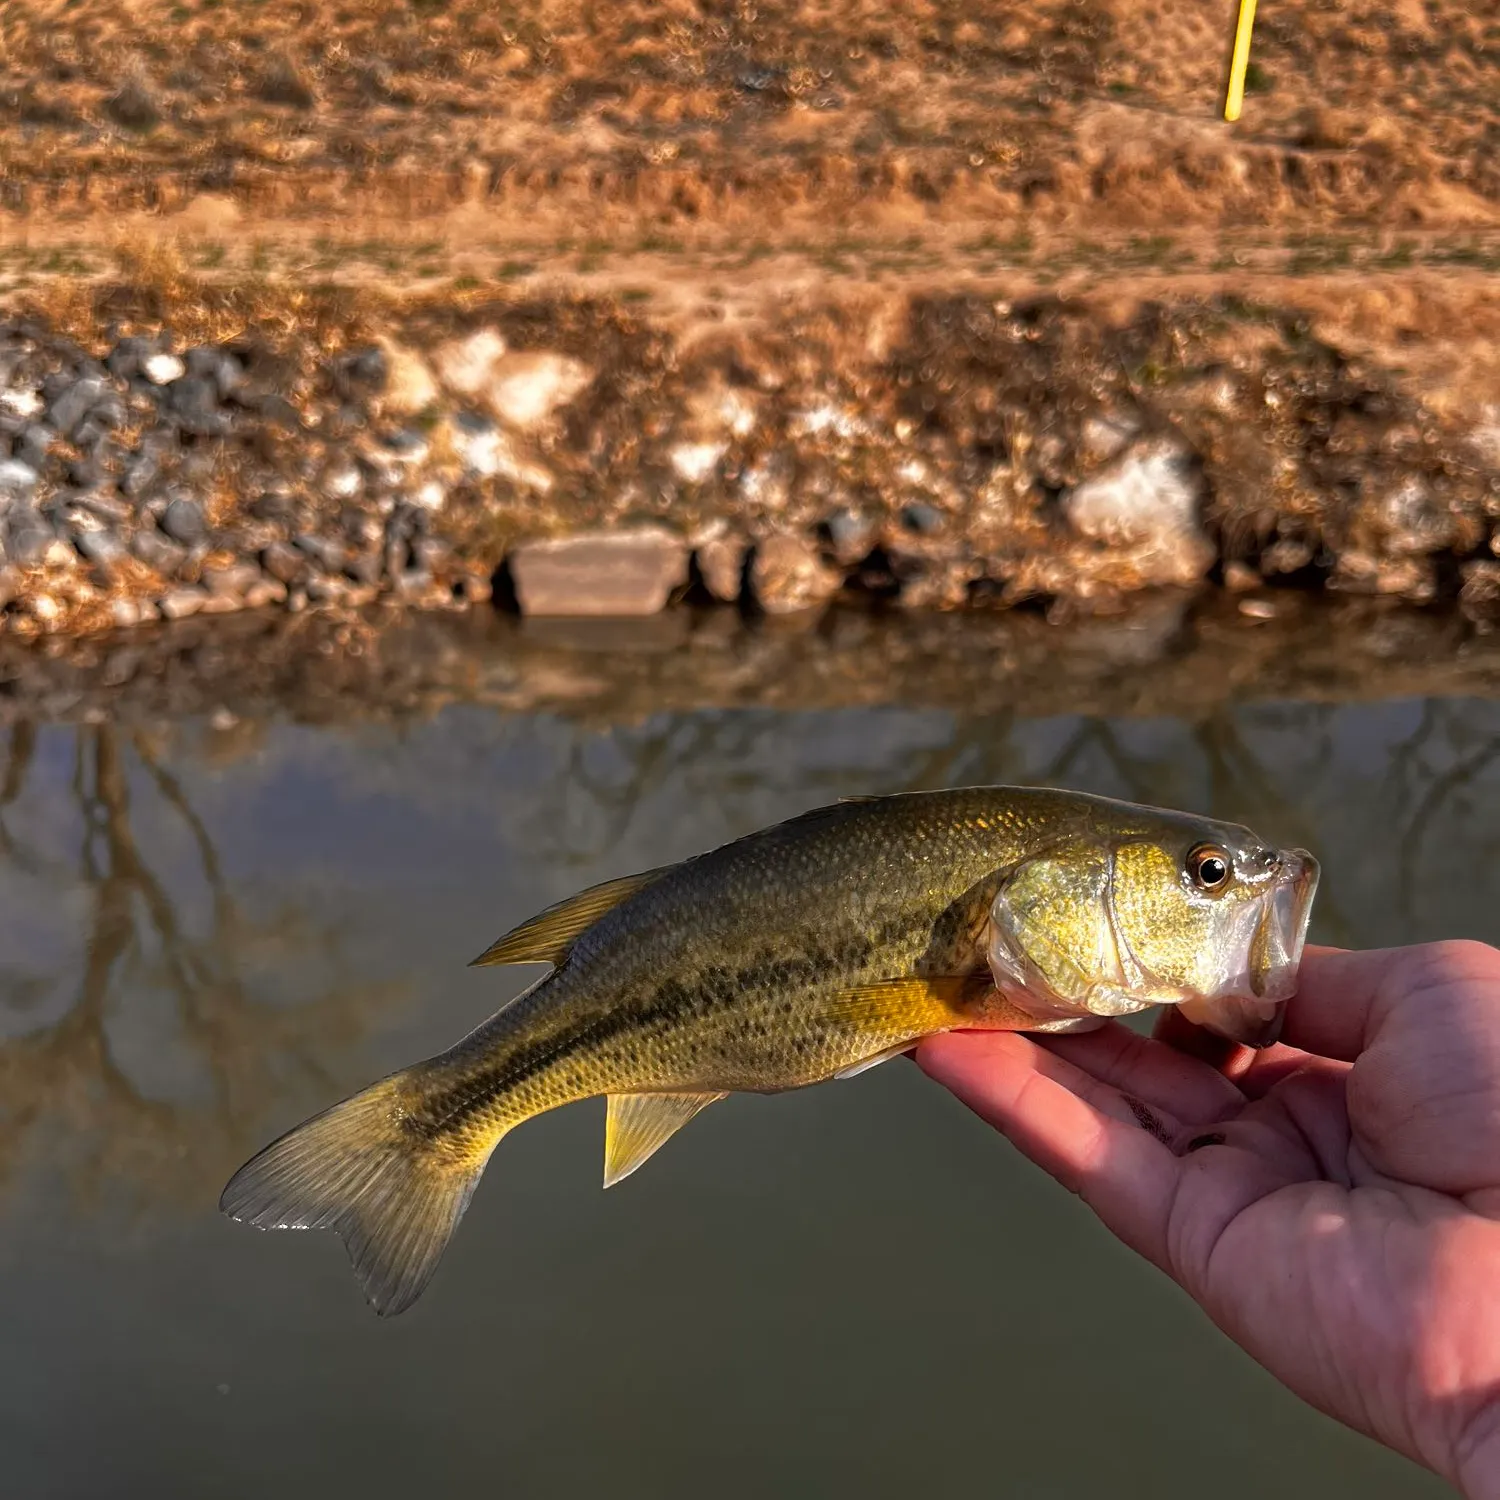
(562, 116)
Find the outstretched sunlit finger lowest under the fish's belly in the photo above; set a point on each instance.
(1123, 1172)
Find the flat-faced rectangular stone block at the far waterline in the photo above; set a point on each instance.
(599, 574)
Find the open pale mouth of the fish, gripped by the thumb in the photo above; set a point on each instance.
(1250, 1007)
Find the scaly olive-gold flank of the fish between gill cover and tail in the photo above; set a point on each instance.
(638, 1009)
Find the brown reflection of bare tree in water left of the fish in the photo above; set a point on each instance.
(67, 1099)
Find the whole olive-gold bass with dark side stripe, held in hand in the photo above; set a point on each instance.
(806, 952)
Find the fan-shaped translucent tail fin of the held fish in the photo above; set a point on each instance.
(392, 1195)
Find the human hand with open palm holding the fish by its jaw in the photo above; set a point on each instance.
(1333, 1202)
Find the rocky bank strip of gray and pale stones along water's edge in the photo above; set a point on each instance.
(577, 458)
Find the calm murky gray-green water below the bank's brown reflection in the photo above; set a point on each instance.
(208, 932)
